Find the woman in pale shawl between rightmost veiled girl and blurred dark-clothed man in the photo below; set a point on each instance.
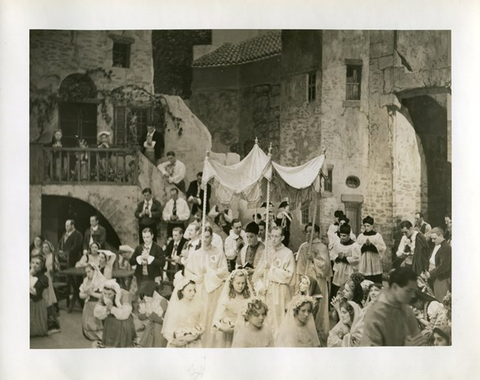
(348, 331)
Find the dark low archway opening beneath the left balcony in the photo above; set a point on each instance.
(57, 209)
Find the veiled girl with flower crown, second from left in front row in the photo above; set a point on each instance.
(235, 293)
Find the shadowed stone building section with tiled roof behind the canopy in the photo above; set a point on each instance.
(236, 90)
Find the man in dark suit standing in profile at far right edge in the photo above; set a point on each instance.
(440, 271)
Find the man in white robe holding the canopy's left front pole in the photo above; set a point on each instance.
(208, 268)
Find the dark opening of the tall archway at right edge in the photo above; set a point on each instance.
(428, 113)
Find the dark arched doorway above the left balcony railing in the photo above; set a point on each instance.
(77, 112)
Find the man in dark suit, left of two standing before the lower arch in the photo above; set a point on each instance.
(70, 248)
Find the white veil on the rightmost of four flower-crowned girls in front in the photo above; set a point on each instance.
(289, 327)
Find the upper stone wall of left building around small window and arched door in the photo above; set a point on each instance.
(55, 54)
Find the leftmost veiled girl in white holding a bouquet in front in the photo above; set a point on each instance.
(183, 325)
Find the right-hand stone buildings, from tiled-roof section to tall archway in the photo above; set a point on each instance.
(377, 101)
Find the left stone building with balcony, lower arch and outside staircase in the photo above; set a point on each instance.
(85, 82)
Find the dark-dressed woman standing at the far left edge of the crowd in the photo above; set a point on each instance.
(38, 306)
